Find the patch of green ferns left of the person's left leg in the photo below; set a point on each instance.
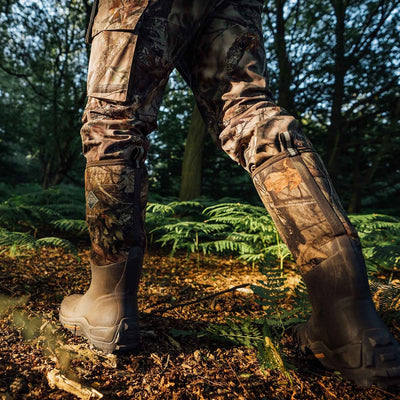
(30, 213)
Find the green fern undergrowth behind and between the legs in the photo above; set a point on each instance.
(28, 214)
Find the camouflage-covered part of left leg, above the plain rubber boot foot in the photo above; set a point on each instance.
(128, 71)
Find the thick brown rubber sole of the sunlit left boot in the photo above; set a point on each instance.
(125, 335)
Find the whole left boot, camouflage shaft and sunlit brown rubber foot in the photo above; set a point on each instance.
(107, 313)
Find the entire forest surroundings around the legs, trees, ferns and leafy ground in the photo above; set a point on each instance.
(334, 64)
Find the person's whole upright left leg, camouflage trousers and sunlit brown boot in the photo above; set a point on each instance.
(128, 71)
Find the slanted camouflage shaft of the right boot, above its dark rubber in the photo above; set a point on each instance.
(295, 188)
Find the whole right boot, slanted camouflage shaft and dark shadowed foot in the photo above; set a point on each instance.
(344, 332)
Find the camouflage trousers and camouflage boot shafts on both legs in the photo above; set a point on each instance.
(217, 46)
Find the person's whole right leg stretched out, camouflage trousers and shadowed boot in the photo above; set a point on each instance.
(227, 74)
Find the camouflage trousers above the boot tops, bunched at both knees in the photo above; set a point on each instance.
(218, 48)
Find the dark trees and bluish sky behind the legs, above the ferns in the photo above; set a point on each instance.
(334, 64)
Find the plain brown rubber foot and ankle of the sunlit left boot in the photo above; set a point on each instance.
(107, 313)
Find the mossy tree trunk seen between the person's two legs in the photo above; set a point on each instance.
(193, 158)
